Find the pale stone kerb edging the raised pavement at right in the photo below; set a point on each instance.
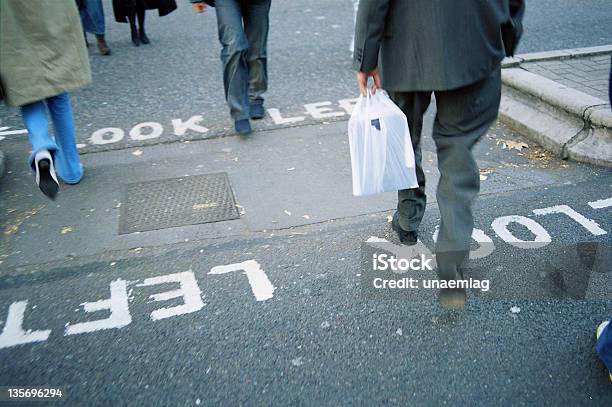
(567, 122)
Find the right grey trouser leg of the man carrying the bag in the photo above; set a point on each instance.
(463, 116)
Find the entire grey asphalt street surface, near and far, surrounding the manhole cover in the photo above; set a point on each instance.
(315, 338)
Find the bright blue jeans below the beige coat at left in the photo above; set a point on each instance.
(63, 146)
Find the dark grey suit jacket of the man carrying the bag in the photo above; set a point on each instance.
(430, 44)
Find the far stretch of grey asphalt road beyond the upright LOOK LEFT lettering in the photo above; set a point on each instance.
(178, 76)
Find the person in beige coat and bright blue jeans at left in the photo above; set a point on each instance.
(42, 57)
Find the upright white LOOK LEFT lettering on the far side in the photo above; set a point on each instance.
(195, 124)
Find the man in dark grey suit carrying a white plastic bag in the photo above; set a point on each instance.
(452, 48)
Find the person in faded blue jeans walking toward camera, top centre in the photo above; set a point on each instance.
(243, 32)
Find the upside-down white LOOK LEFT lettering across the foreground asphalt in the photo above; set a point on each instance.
(117, 306)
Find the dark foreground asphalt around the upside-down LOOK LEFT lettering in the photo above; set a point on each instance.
(318, 340)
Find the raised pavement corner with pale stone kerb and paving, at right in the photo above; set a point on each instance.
(560, 100)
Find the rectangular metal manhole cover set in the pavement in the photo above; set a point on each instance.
(176, 202)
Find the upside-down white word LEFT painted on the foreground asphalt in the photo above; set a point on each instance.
(118, 309)
